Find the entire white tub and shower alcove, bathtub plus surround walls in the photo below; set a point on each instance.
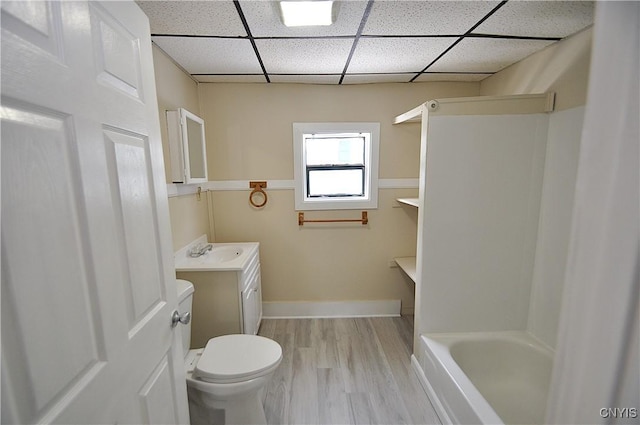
(496, 195)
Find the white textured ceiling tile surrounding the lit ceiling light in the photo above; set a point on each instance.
(263, 18)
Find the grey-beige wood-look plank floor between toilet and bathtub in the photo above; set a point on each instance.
(345, 371)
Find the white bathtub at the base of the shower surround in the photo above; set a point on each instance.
(486, 377)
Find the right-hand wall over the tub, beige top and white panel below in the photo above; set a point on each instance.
(562, 68)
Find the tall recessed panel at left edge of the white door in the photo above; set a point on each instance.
(35, 145)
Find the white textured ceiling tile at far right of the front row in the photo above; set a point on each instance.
(539, 18)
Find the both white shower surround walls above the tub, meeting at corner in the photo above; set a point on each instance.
(496, 222)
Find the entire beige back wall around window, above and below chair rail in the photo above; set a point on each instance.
(249, 136)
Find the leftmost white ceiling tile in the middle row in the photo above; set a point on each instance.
(211, 55)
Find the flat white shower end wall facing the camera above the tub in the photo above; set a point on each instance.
(480, 203)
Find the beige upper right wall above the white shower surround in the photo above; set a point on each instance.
(562, 68)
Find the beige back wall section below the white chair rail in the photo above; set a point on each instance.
(323, 262)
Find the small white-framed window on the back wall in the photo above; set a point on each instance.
(336, 165)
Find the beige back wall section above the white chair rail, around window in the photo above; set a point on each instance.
(249, 131)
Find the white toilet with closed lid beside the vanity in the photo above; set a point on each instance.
(226, 379)
